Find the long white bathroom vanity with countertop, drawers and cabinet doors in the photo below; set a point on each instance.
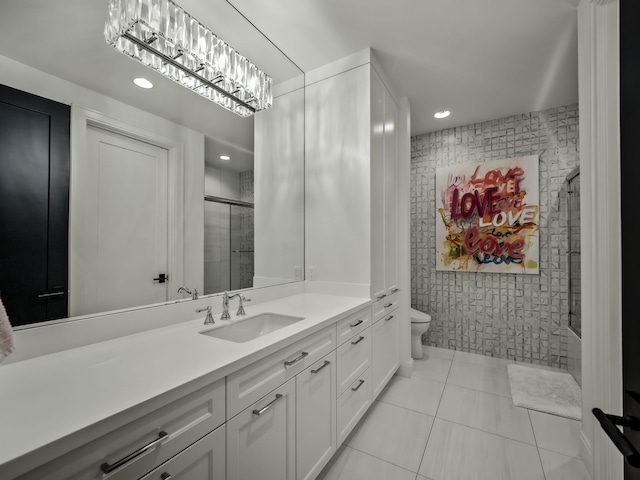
(175, 403)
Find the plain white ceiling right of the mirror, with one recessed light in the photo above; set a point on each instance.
(480, 59)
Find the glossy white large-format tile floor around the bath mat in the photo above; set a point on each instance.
(454, 420)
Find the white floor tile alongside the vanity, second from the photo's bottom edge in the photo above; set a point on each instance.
(393, 434)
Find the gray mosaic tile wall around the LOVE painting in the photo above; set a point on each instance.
(514, 316)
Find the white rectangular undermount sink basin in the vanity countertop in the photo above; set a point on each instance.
(241, 331)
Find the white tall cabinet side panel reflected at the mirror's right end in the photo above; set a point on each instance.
(278, 189)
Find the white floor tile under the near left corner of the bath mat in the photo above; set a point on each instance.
(486, 411)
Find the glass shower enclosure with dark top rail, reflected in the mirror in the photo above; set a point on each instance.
(228, 244)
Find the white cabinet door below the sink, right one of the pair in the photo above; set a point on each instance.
(315, 417)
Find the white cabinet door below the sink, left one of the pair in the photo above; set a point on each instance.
(261, 438)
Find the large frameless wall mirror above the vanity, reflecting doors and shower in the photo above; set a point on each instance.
(178, 187)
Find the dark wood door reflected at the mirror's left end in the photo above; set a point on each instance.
(34, 206)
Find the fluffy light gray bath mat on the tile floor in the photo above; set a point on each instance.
(545, 391)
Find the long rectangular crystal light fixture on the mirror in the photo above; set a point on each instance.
(162, 36)
